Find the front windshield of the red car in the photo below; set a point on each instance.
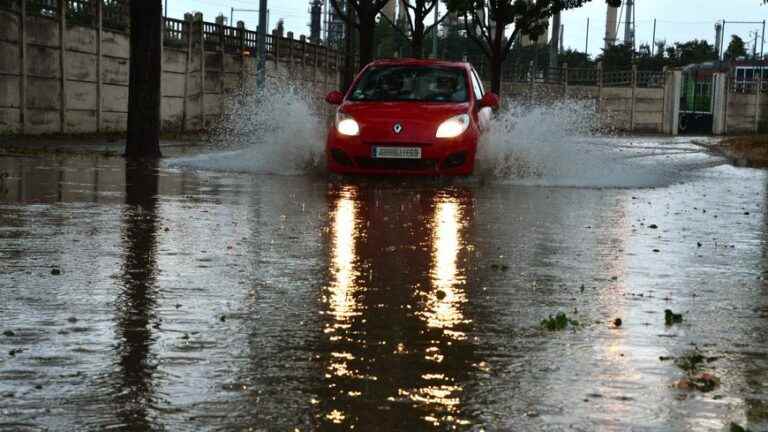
(411, 83)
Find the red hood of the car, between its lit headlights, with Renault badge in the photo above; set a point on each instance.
(419, 121)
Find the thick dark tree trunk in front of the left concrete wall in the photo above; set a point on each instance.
(143, 138)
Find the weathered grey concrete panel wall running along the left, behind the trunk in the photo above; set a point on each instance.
(83, 87)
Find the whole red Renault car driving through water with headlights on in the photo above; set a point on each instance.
(407, 116)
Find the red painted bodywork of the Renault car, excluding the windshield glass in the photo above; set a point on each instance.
(400, 136)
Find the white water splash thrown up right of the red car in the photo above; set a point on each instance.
(562, 144)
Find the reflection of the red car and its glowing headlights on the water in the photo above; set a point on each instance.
(396, 327)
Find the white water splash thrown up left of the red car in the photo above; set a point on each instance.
(277, 130)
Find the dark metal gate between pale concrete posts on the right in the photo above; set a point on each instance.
(696, 97)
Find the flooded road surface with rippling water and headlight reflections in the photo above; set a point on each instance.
(159, 298)
